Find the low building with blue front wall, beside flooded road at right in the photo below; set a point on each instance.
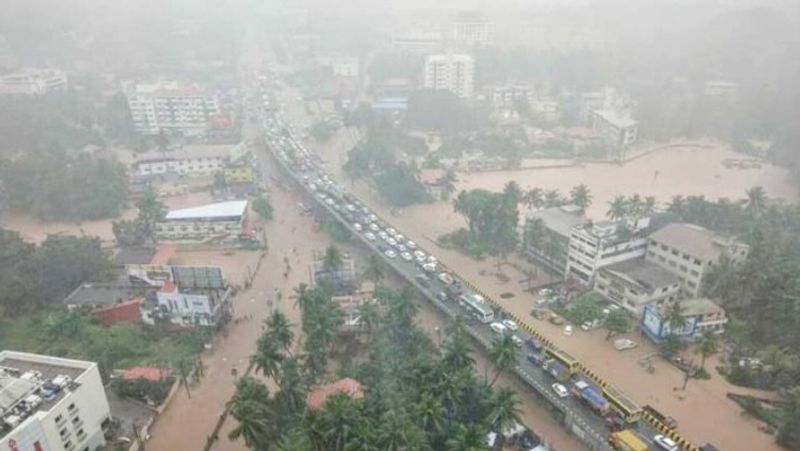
(700, 315)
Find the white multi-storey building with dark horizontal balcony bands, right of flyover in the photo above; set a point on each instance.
(597, 245)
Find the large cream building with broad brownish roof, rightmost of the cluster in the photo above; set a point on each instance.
(688, 251)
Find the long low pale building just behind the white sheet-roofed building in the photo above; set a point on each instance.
(188, 160)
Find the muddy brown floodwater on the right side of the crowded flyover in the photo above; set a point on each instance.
(703, 410)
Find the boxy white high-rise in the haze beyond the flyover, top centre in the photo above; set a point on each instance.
(453, 72)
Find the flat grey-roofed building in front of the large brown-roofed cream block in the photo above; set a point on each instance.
(633, 284)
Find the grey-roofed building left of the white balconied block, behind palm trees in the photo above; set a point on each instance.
(546, 234)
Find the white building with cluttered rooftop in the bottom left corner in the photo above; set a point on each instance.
(50, 403)
